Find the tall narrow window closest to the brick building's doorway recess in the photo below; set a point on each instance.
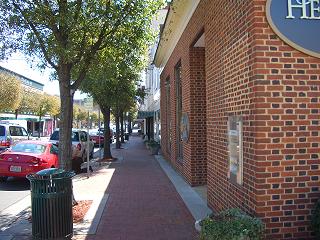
(179, 111)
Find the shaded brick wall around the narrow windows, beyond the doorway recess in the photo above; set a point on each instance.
(194, 164)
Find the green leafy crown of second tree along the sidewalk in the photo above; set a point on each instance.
(116, 72)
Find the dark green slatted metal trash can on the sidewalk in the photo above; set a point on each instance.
(51, 204)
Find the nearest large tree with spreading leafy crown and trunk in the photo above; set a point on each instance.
(67, 36)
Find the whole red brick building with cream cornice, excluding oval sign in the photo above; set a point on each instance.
(240, 112)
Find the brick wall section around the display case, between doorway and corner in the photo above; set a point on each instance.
(230, 91)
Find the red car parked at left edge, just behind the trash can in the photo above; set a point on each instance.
(27, 157)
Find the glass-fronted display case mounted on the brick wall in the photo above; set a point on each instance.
(235, 149)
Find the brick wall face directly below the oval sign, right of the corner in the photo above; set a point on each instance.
(287, 137)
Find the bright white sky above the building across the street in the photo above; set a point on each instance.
(19, 64)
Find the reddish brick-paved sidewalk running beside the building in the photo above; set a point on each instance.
(143, 204)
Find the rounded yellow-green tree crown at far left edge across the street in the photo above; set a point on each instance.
(10, 92)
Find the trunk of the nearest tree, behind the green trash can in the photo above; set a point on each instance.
(65, 126)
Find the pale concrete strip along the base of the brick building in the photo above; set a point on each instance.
(193, 201)
